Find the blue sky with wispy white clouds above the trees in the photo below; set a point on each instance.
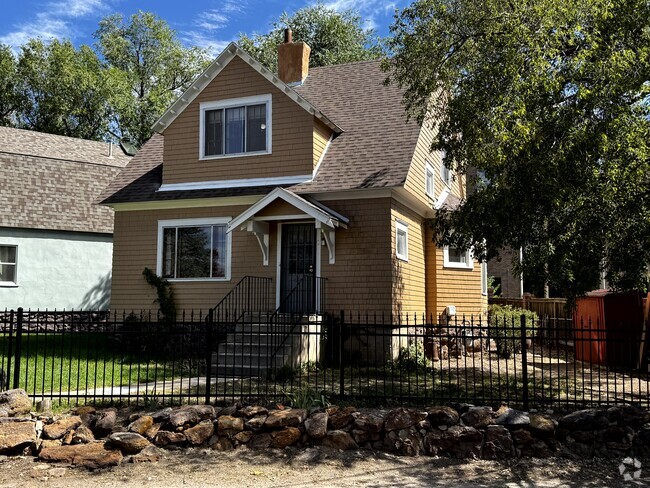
(206, 23)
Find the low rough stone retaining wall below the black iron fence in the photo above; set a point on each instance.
(99, 438)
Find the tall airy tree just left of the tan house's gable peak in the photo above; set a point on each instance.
(151, 68)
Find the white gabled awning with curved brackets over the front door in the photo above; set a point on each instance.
(327, 220)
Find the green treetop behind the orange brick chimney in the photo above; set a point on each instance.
(334, 37)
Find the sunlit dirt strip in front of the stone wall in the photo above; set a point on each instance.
(317, 467)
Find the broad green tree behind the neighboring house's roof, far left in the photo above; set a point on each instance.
(62, 90)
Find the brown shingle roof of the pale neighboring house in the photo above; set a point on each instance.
(51, 182)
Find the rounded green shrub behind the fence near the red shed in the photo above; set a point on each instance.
(505, 327)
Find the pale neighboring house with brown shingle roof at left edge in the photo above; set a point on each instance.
(56, 245)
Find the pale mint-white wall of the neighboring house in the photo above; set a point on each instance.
(62, 270)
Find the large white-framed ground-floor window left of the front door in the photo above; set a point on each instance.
(194, 249)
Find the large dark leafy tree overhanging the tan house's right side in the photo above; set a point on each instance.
(550, 100)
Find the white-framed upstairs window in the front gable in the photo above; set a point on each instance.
(236, 127)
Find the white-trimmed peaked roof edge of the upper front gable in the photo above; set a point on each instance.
(211, 73)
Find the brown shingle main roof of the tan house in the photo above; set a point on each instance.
(375, 150)
